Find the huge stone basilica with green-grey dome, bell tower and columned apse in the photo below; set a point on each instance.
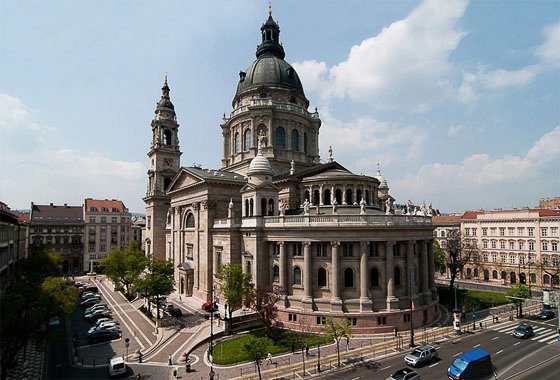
(328, 237)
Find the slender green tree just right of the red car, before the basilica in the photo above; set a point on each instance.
(234, 286)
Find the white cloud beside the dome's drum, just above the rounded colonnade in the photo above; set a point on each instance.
(362, 142)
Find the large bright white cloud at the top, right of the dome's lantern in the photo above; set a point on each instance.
(406, 65)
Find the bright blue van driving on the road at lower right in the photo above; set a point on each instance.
(474, 364)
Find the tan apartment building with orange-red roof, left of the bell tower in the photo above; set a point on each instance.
(108, 224)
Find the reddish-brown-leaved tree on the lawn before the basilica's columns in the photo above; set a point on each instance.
(264, 303)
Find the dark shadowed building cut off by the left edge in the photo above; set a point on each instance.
(13, 235)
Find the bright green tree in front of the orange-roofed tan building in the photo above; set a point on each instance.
(124, 266)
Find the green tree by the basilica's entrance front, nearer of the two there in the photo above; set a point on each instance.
(157, 282)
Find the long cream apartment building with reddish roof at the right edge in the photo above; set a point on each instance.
(516, 246)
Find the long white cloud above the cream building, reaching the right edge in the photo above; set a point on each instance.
(483, 181)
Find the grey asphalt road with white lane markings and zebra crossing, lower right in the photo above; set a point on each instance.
(536, 358)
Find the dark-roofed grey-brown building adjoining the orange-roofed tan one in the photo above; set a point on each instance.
(58, 228)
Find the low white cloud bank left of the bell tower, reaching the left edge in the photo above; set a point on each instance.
(43, 173)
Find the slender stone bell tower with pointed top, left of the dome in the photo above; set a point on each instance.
(163, 163)
